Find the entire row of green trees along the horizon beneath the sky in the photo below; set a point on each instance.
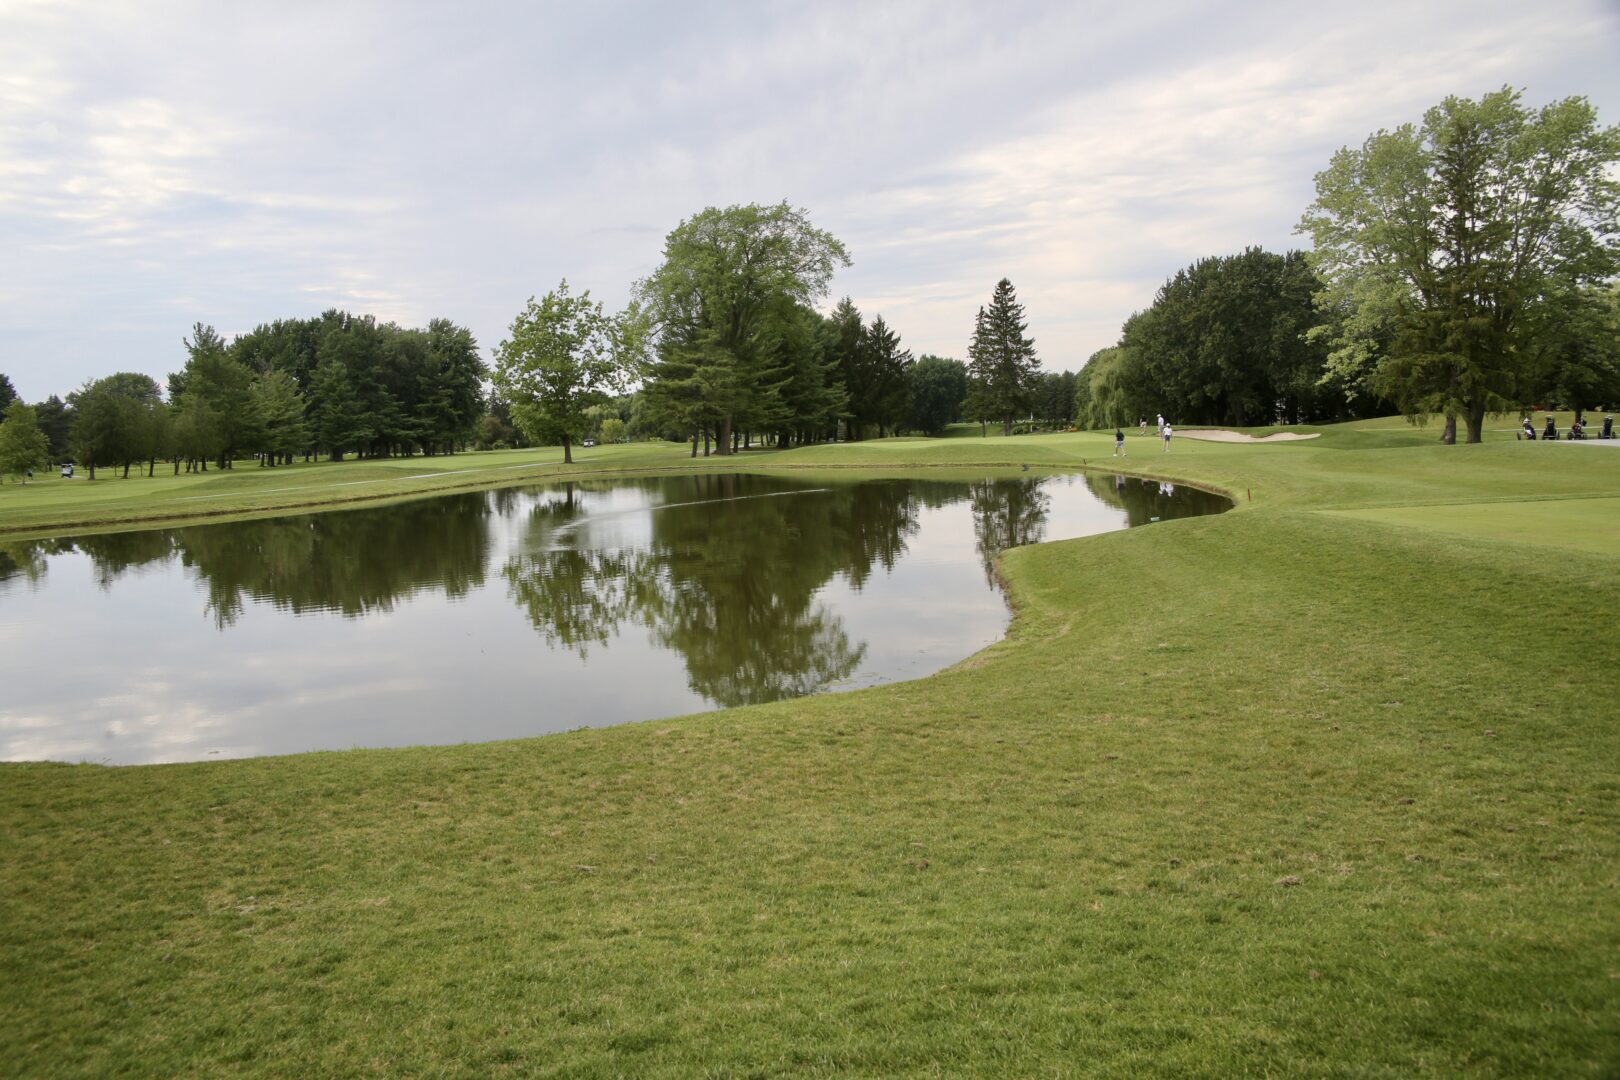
(1460, 266)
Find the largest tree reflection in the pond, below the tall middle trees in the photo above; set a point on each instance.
(727, 576)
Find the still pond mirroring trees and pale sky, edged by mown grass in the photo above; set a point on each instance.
(516, 613)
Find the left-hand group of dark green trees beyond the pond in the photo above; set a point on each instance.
(330, 386)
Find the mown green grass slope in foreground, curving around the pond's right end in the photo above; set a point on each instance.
(1271, 793)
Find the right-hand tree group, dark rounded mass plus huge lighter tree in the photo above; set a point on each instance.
(1462, 266)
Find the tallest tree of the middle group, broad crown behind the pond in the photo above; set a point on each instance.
(725, 273)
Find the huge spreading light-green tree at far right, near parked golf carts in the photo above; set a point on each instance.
(1447, 237)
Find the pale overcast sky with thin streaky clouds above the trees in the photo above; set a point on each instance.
(166, 164)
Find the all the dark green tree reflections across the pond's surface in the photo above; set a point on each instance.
(727, 571)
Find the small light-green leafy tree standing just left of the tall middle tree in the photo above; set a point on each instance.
(563, 357)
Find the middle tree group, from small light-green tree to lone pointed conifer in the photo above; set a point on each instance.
(728, 352)
